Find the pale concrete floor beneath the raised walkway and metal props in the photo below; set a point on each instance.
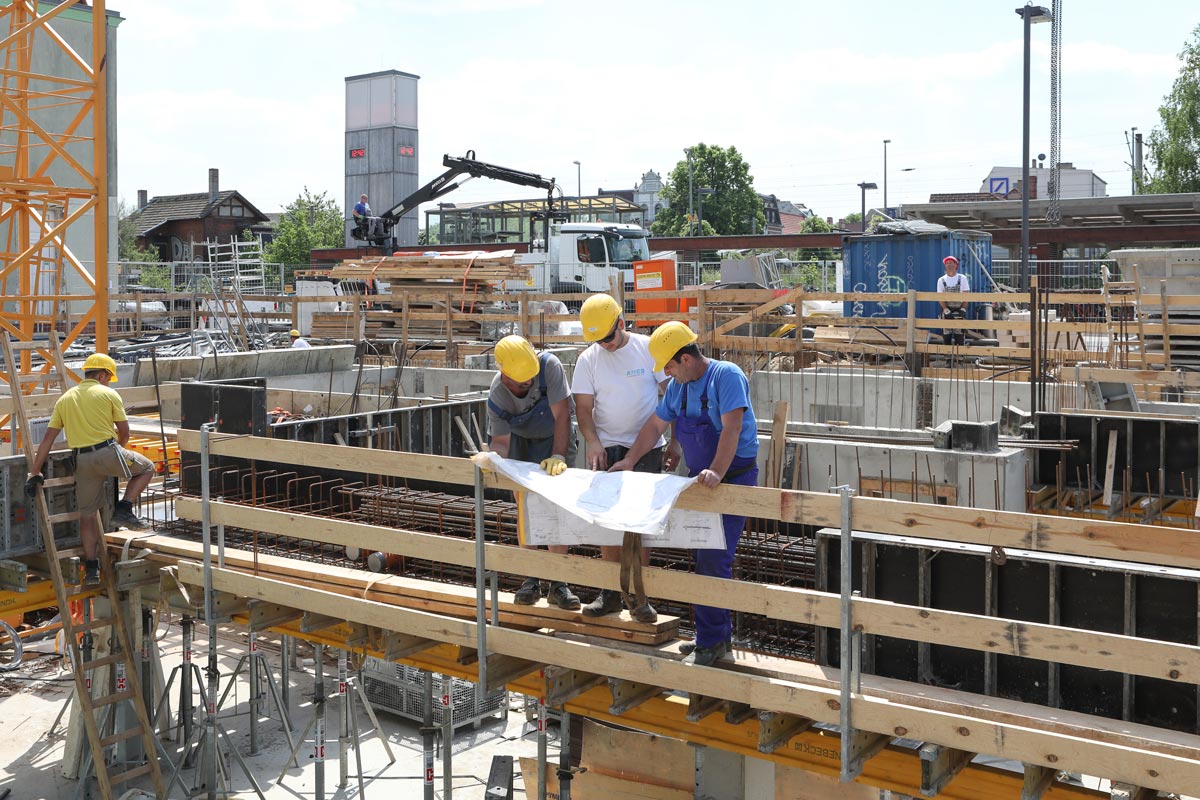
(31, 761)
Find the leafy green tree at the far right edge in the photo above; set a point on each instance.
(1175, 145)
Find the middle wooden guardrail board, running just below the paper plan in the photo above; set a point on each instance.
(1166, 660)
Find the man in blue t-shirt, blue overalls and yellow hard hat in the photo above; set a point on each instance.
(715, 430)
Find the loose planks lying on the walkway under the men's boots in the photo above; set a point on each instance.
(431, 597)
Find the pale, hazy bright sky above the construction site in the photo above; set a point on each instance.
(806, 92)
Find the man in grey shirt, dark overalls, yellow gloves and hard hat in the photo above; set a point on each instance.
(530, 414)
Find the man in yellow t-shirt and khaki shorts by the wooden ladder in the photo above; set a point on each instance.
(94, 420)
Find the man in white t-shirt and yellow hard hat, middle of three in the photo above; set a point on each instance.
(616, 390)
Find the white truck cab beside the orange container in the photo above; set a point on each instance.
(584, 256)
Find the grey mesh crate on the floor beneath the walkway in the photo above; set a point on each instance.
(400, 690)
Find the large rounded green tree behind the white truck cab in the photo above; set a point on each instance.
(734, 207)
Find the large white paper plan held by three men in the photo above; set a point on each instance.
(585, 508)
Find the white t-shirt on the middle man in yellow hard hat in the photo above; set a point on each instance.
(626, 389)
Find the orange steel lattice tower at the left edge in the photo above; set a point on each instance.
(53, 171)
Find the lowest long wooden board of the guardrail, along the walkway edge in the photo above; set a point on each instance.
(1048, 748)
